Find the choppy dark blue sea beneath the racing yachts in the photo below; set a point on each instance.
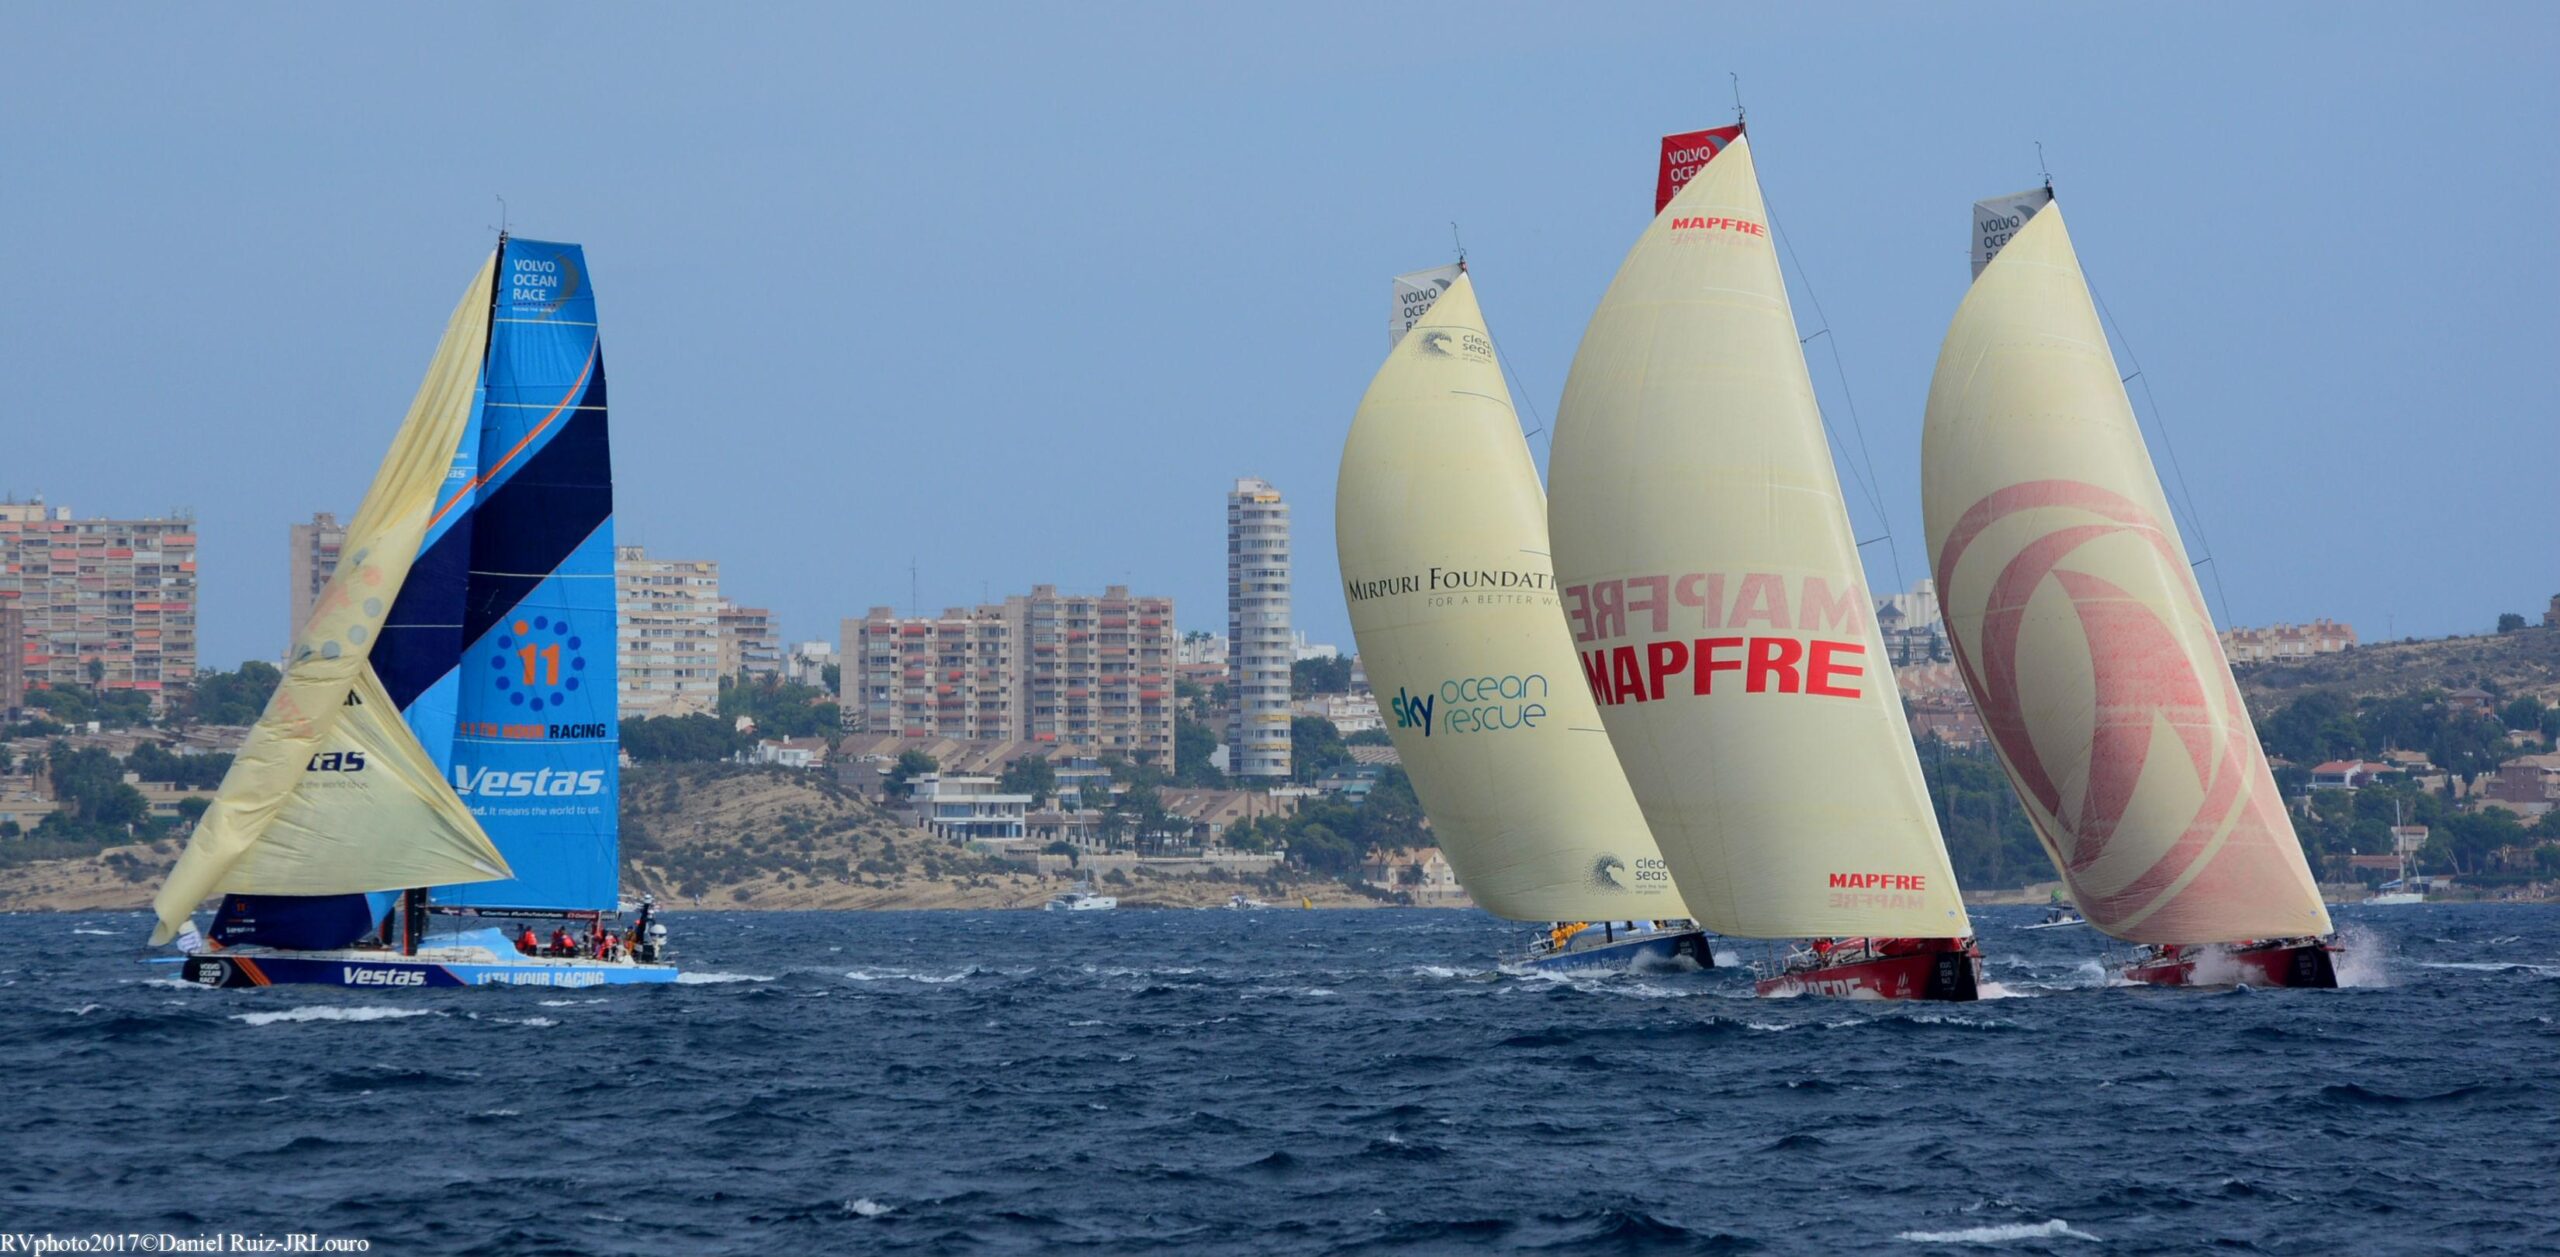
(1292, 1084)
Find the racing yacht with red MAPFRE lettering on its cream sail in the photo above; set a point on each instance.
(1722, 613)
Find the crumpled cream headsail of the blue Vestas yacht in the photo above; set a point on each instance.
(332, 792)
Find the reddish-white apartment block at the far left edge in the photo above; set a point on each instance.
(101, 603)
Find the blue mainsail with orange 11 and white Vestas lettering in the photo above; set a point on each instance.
(536, 736)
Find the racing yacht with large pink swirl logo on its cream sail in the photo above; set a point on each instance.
(2083, 634)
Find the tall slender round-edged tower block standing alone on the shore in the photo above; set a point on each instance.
(1258, 631)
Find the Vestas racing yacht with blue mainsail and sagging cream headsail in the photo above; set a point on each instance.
(477, 605)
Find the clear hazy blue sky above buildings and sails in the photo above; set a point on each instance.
(1012, 293)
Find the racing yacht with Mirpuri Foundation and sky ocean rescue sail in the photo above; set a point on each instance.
(1443, 534)
